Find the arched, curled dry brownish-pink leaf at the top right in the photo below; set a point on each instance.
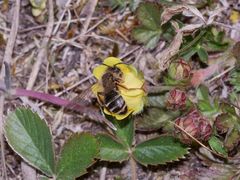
(187, 10)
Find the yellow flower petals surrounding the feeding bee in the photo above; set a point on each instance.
(131, 88)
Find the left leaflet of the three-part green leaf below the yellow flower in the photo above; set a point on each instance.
(111, 150)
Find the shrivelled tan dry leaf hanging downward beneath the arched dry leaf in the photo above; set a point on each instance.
(164, 57)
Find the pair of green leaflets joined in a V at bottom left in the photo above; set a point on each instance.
(31, 138)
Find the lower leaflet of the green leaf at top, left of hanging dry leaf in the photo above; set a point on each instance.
(146, 36)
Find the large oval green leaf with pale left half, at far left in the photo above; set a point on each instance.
(30, 137)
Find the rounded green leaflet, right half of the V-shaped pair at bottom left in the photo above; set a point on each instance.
(76, 155)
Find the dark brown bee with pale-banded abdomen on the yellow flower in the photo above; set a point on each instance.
(111, 97)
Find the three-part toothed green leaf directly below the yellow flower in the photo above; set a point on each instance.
(120, 147)
